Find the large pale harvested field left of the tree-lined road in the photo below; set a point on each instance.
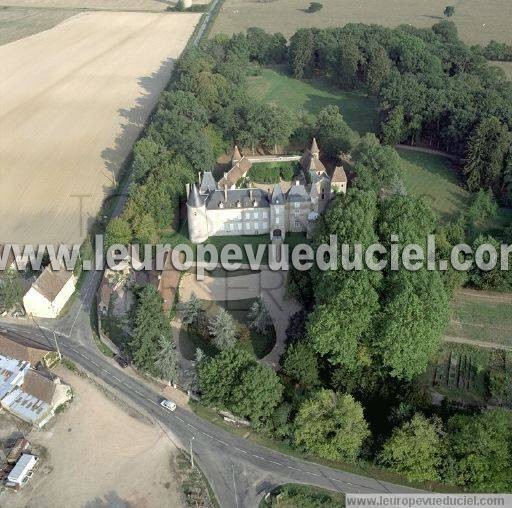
(73, 100)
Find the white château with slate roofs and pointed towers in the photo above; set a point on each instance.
(222, 209)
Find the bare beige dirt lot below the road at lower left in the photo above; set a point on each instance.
(98, 455)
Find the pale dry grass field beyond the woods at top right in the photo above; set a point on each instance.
(476, 24)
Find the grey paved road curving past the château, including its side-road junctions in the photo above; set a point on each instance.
(239, 471)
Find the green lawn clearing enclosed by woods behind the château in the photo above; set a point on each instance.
(275, 85)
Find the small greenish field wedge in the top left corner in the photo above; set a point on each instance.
(18, 23)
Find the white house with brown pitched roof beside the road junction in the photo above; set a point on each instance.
(49, 293)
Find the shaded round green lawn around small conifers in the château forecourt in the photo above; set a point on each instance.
(259, 344)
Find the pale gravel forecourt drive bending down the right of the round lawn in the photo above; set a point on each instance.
(270, 285)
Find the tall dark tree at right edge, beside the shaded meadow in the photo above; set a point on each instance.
(485, 156)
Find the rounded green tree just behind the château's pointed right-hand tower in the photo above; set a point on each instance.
(333, 133)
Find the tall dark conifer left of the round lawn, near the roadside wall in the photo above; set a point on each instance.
(149, 328)
